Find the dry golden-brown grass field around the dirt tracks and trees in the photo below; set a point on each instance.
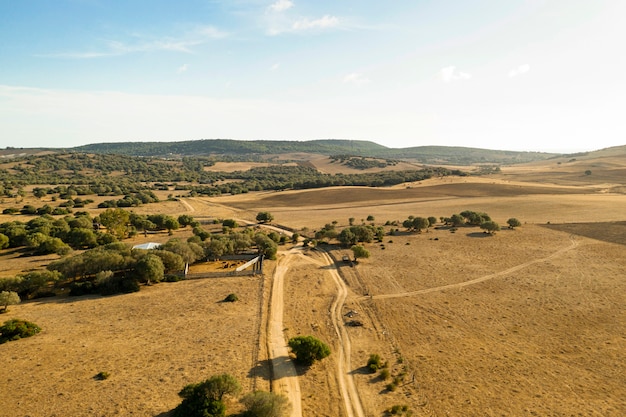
(528, 322)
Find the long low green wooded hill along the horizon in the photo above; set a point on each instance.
(209, 147)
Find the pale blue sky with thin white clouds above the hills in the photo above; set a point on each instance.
(530, 75)
